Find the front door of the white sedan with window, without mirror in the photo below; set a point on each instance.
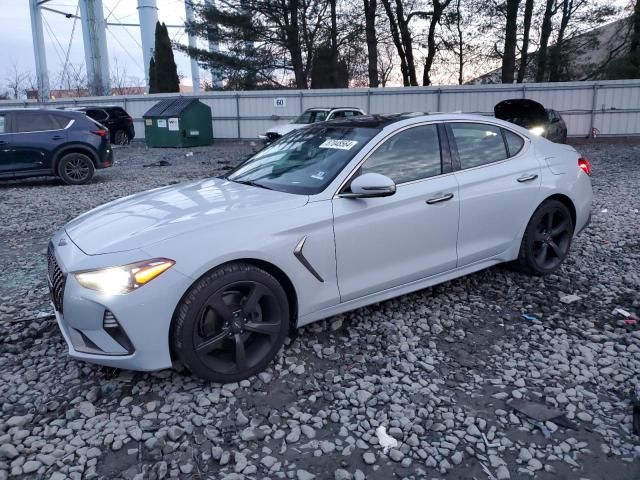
(386, 242)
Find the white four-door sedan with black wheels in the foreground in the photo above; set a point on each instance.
(330, 218)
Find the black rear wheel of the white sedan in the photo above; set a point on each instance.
(547, 239)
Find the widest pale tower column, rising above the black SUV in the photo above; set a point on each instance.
(96, 56)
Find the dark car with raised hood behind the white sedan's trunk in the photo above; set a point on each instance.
(533, 116)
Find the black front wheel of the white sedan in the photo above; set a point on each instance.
(231, 323)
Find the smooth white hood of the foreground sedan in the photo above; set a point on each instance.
(149, 217)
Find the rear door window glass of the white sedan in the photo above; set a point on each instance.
(478, 144)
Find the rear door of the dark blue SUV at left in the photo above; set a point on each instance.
(35, 136)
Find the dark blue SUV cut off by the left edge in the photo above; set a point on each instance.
(39, 142)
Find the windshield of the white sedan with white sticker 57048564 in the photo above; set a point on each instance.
(304, 161)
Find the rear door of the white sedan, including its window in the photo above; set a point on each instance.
(499, 180)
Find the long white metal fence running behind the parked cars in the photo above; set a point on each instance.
(611, 107)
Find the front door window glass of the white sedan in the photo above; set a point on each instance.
(412, 154)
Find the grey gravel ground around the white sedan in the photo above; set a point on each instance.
(439, 369)
